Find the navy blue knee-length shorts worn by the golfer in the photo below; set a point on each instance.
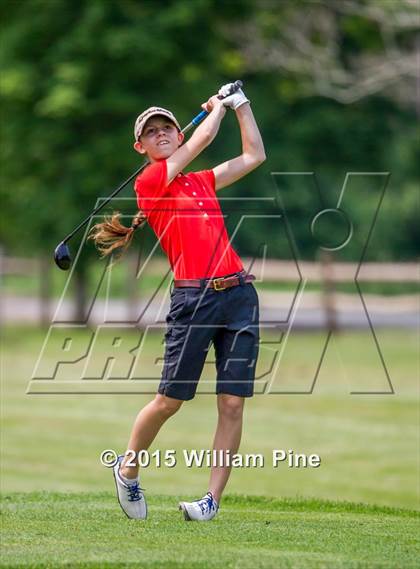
(200, 317)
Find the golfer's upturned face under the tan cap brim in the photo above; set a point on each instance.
(160, 138)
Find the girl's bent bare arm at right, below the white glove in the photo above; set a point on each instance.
(253, 153)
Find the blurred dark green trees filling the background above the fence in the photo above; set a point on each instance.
(331, 90)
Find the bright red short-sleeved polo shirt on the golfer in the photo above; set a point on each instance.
(186, 218)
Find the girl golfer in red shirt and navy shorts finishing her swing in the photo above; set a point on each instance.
(213, 299)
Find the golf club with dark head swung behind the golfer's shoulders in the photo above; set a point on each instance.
(62, 255)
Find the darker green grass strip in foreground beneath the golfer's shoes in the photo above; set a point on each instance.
(88, 530)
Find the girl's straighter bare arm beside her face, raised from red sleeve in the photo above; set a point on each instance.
(202, 137)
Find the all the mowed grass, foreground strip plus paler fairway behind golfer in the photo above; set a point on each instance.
(356, 510)
